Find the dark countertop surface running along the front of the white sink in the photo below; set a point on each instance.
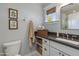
(53, 38)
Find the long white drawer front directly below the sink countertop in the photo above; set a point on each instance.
(69, 50)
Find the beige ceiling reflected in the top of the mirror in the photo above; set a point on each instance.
(70, 8)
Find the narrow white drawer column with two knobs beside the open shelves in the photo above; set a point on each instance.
(45, 47)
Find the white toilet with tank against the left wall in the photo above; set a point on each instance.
(12, 48)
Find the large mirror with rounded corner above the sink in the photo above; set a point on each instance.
(70, 16)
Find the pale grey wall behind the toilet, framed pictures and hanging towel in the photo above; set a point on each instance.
(26, 12)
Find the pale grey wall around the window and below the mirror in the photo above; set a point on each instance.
(56, 26)
